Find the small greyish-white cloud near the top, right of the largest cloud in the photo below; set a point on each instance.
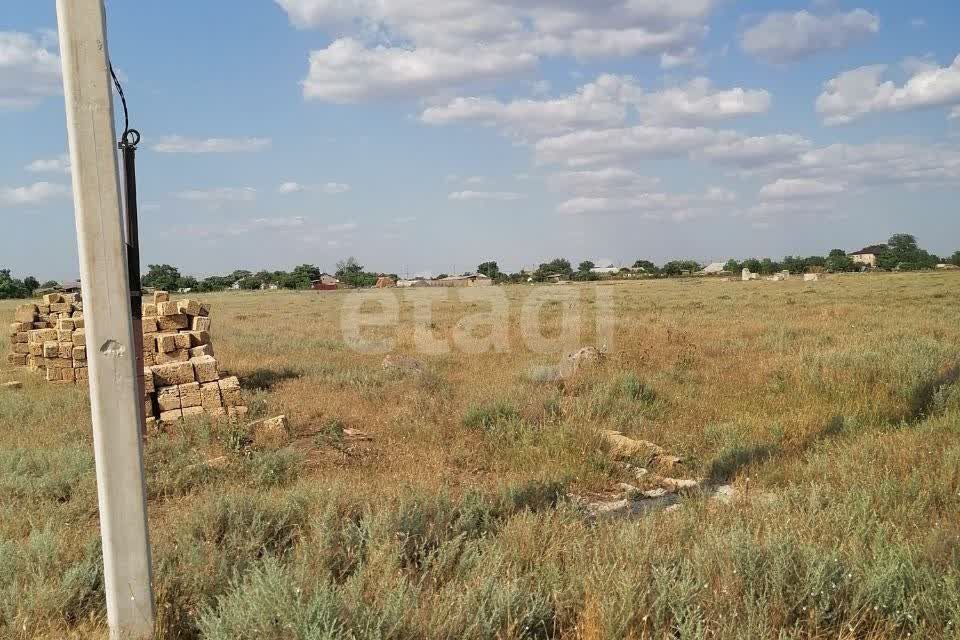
(782, 37)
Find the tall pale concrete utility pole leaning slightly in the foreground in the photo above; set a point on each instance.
(115, 401)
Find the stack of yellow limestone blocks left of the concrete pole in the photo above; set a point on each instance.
(49, 336)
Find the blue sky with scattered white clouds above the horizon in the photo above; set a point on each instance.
(431, 135)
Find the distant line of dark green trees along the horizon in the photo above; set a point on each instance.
(901, 252)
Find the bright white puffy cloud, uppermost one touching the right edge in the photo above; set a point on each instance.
(858, 92)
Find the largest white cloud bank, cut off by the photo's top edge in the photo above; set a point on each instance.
(405, 48)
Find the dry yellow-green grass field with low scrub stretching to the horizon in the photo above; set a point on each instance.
(831, 408)
